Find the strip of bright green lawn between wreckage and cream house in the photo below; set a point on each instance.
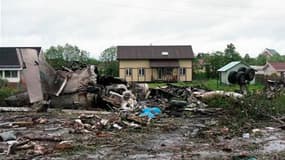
(210, 84)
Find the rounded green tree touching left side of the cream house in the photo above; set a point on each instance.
(109, 63)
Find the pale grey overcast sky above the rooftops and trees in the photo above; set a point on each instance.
(93, 25)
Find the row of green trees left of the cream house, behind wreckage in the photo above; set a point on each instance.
(64, 56)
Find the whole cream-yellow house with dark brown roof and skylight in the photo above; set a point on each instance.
(155, 63)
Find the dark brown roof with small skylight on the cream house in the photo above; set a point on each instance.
(154, 52)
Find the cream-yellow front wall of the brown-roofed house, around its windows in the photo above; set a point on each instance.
(151, 74)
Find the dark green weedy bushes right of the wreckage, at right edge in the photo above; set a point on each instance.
(239, 114)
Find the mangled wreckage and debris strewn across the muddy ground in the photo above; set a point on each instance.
(120, 111)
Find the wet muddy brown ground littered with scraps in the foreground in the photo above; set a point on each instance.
(187, 137)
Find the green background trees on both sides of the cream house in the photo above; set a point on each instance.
(59, 56)
